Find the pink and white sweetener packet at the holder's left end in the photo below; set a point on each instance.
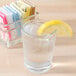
(3, 20)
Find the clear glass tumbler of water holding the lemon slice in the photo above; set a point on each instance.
(38, 50)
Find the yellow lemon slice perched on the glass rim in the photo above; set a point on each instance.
(63, 29)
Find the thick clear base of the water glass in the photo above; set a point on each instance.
(38, 69)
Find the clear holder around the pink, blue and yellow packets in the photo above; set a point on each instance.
(17, 39)
